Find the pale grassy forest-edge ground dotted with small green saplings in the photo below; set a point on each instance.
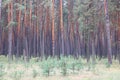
(53, 69)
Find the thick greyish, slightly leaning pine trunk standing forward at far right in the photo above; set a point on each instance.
(107, 27)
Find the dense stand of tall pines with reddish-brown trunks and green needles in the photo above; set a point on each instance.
(42, 28)
